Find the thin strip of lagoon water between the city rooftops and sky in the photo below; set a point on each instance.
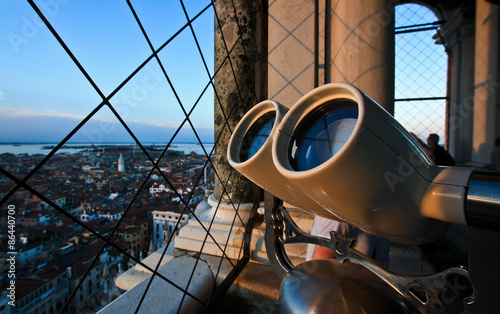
(40, 148)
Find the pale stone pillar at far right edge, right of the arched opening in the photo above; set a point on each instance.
(486, 83)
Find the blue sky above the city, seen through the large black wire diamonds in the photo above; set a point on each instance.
(43, 95)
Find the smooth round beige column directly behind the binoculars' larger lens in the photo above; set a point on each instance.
(363, 47)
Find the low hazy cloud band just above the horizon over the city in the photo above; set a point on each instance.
(28, 125)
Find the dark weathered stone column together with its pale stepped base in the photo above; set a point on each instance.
(240, 83)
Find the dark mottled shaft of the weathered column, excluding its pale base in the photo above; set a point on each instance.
(234, 89)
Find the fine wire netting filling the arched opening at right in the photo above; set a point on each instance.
(421, 72)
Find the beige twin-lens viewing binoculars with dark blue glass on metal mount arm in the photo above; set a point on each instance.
(338, 154)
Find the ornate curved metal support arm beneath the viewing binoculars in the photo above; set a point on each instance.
(430, 294)
